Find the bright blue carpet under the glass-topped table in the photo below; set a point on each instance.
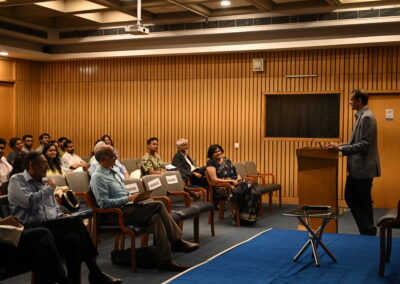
(268, 259)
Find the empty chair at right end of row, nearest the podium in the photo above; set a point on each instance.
(251, 170)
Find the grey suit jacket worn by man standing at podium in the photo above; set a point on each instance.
(362, 150)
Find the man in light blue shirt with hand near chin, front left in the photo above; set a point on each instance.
(33, 202)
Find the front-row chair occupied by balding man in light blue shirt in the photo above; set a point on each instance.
(119, 231)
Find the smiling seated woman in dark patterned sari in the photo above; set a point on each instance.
(221, 169)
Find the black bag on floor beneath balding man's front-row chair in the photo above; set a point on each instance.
(146, 257)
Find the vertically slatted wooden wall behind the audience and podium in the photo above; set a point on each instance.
(205, 98)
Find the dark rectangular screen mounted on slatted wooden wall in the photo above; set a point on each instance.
(305, 116)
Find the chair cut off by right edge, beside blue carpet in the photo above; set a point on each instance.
(388, 221)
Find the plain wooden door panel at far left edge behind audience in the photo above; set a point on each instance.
(7, 126)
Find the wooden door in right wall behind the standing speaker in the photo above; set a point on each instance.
(386, 189)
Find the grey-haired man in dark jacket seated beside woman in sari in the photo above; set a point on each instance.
(186, 166)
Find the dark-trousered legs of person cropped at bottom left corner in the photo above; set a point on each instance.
(37, 250)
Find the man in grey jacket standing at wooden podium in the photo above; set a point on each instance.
(362, 163)
